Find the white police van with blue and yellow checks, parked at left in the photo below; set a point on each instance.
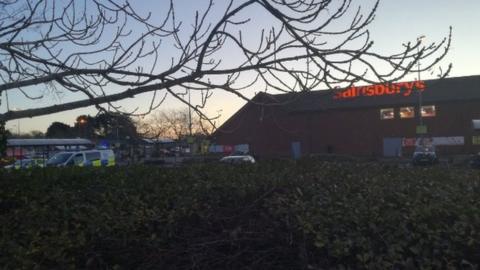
(95, 158)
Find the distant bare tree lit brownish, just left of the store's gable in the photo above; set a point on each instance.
(174, 124)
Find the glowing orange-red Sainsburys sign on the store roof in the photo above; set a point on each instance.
(402, 89)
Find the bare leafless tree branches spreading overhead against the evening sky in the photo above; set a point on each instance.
(107, 50)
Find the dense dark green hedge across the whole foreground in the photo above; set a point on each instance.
(279, 215)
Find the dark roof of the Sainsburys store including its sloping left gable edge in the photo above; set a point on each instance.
(433, 91)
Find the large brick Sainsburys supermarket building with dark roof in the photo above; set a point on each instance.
(374, 120)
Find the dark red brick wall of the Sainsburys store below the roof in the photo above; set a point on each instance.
(270, 130)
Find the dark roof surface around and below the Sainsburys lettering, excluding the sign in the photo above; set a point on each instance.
(441, 90)
